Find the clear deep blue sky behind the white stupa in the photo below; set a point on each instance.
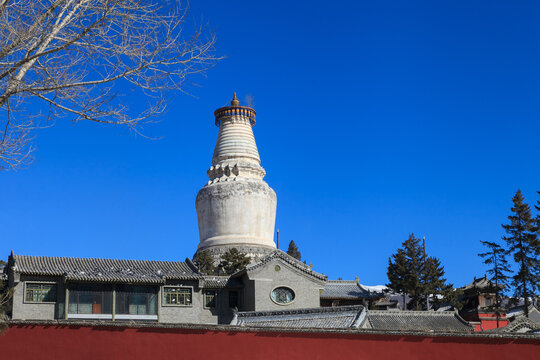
(375, 120)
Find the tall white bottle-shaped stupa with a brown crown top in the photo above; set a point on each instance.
(236, 208)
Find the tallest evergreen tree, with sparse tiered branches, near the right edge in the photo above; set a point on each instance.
(522, 242)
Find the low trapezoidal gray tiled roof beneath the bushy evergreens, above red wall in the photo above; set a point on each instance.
(415, 321)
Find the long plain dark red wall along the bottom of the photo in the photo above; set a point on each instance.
(107, 342)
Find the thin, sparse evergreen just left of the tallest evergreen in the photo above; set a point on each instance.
(499, 269)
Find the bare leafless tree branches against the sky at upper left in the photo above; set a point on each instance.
(70, 56)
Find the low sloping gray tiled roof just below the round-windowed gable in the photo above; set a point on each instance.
(316, 318)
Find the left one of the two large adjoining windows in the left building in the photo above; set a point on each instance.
(90, 299)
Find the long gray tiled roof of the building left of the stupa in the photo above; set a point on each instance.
(105, 270)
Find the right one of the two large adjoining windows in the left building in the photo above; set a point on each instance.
(136, 300)
